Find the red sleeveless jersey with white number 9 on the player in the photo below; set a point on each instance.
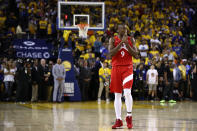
(122, 57)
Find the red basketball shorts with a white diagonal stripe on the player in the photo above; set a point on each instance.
(121, 78)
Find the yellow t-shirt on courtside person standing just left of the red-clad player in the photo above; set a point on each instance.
(104, 73)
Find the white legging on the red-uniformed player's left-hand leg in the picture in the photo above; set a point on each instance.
(118, 105)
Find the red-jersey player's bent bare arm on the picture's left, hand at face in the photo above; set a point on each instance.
(112, 49)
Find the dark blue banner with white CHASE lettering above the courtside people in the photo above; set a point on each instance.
(33, 48)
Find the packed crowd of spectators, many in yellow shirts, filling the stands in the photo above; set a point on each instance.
(164, 31)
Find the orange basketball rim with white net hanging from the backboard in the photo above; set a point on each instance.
(83, 30)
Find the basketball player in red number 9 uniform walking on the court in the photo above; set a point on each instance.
(121, 48)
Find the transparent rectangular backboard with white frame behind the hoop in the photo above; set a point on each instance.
(73, 13)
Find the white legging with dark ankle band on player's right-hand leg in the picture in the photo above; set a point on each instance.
(128, 101)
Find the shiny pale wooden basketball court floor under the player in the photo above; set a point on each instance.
(90, 116)
